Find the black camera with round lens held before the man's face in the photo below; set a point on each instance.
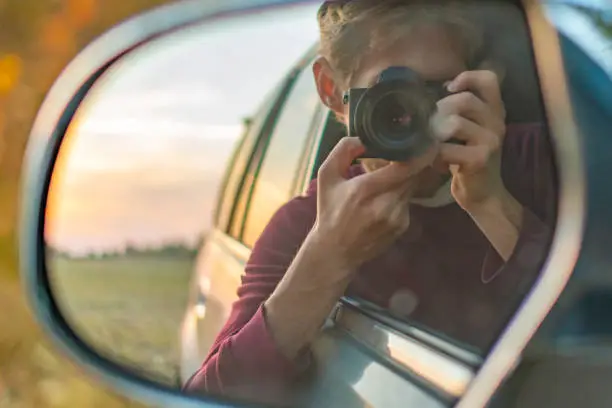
(392, 117)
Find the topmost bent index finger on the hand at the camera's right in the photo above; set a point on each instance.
(484, 83)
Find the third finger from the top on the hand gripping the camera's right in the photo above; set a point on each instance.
(462, 129)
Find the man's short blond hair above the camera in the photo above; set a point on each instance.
(350, 28)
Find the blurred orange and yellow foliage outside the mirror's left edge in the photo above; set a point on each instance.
(38, 38)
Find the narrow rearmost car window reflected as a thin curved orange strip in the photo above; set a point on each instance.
(241, 158)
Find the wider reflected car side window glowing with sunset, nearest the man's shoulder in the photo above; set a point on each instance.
(275, 183)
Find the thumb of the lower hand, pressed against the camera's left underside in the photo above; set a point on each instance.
(336, 165)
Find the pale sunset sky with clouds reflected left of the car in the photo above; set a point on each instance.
(150, 145)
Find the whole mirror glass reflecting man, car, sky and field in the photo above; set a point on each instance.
(222, 188)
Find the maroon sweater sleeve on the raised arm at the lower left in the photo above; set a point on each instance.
(244, 360)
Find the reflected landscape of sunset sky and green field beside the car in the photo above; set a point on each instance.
(136, 183)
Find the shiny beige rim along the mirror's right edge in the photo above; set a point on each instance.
(569, 229)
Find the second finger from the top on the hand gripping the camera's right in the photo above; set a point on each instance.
(470, 106)
